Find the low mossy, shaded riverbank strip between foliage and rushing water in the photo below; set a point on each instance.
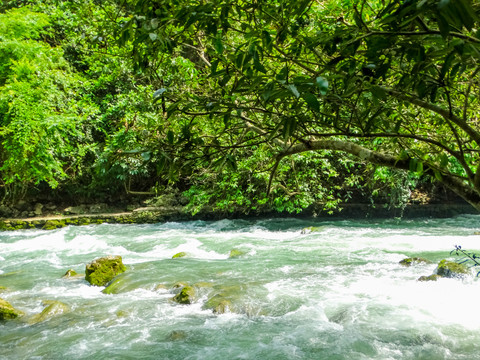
(140, 215)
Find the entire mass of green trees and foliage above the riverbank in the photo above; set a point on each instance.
(273, 104)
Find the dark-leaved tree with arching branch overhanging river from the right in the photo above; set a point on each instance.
(392, 83)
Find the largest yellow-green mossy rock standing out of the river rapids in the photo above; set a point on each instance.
(102, 270)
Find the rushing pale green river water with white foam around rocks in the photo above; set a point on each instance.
(338, 292)
